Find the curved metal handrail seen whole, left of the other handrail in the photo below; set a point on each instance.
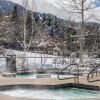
(70, 69)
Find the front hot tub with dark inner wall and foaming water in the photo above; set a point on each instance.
(61, 92)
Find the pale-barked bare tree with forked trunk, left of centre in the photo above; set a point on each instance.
(26, 44)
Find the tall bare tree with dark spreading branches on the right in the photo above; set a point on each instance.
(79, 10)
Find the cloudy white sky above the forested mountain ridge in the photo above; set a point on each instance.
(53, 7)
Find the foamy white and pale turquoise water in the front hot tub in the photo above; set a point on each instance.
(53, 94)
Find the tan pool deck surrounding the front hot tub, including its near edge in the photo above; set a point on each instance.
(40, 81)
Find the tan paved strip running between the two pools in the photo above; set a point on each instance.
(43, 81)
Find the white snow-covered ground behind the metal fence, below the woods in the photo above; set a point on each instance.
(38, 60)
